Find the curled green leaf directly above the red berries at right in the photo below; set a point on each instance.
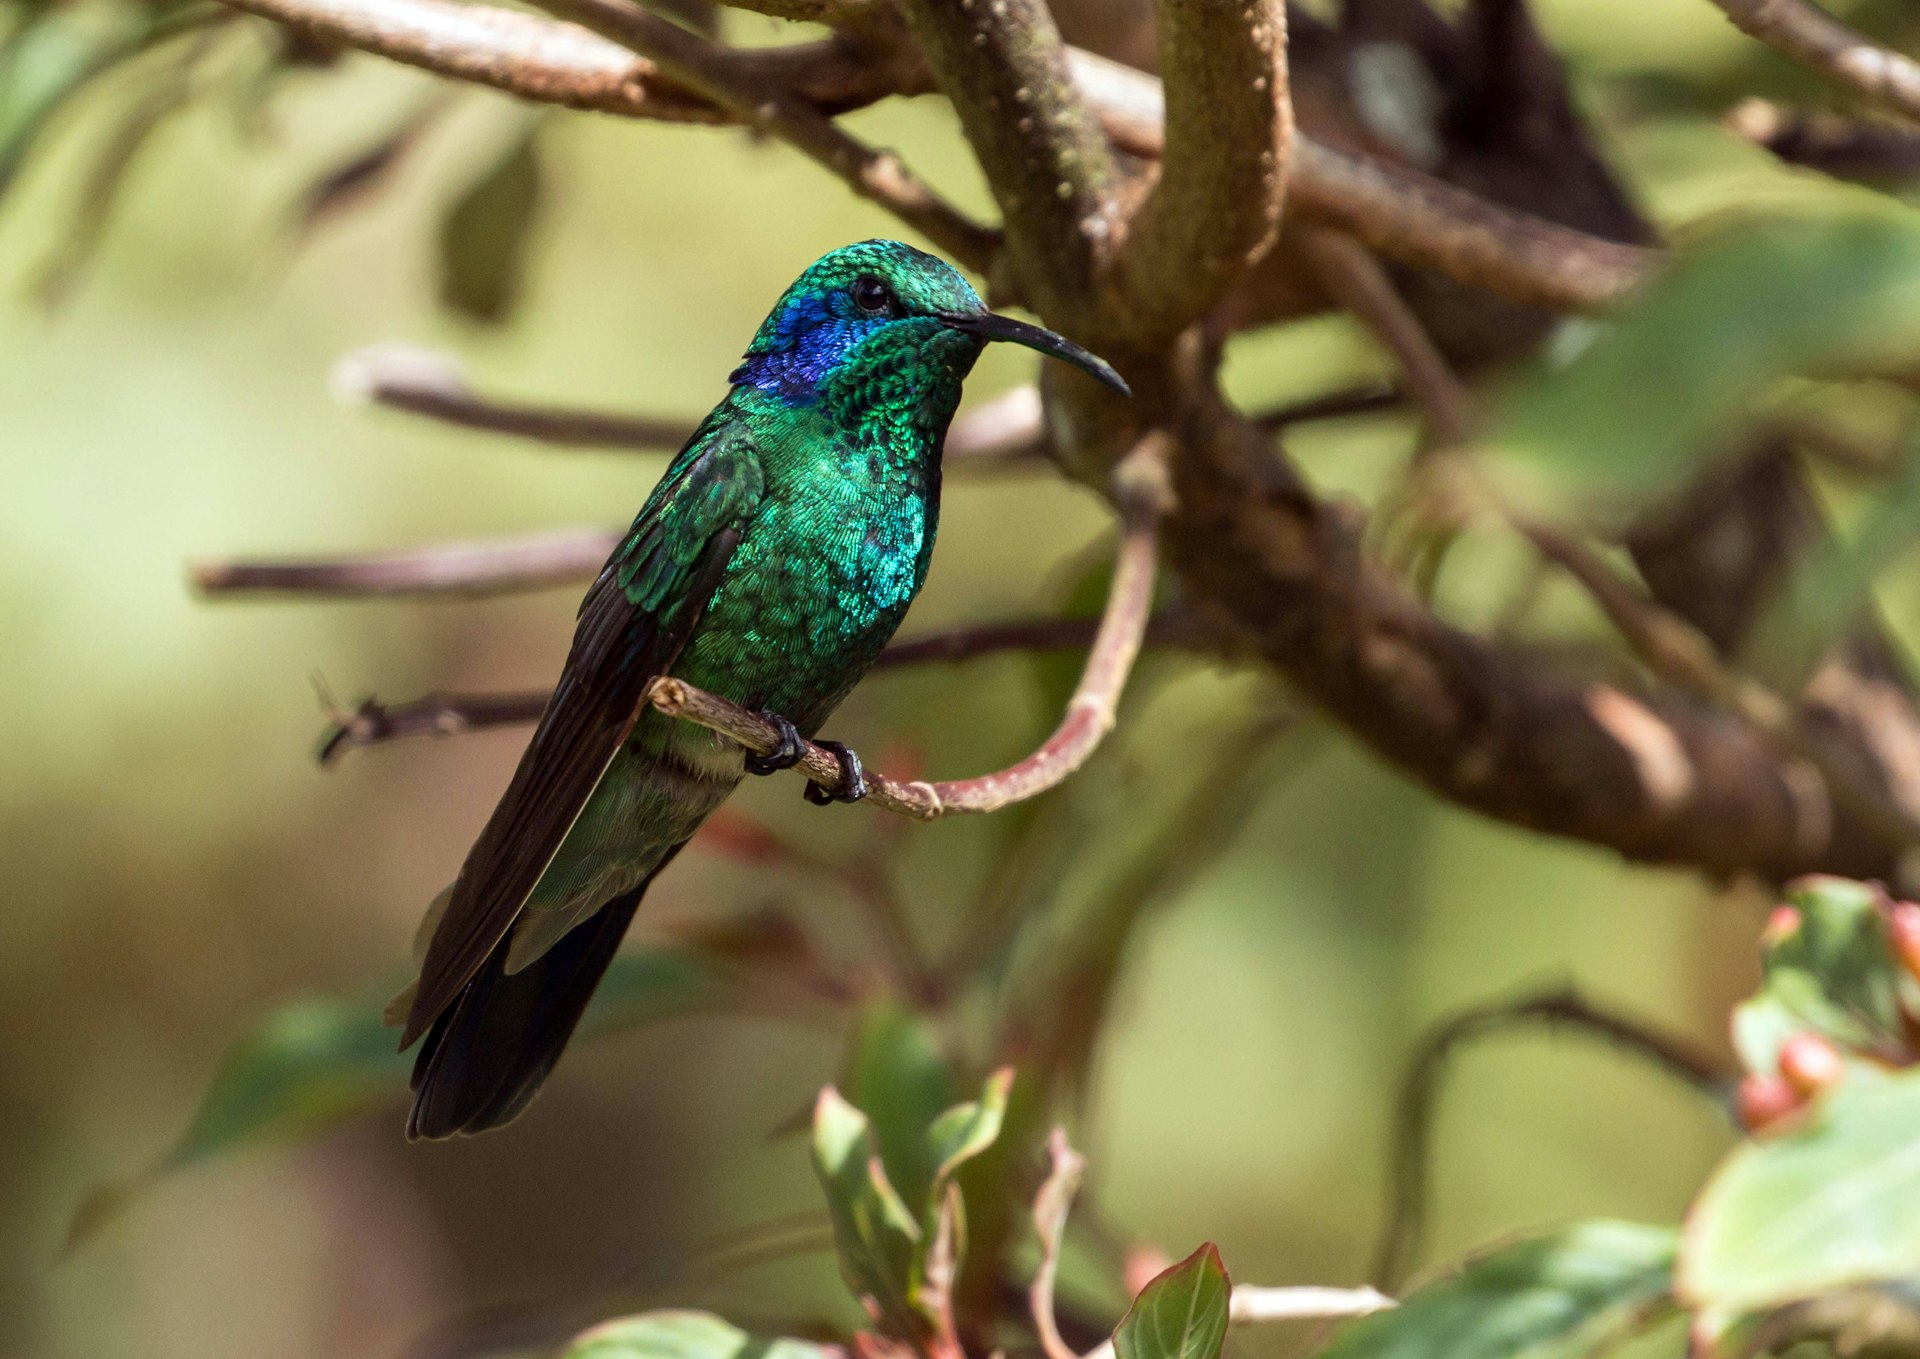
(1833, 974)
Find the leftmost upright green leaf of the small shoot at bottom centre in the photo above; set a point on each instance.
(875, 1235)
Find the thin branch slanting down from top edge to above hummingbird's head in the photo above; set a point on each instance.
(786, 114)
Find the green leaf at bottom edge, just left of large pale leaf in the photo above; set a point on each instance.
(1558, 1297)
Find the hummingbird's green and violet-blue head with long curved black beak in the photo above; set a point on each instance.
(882, 322)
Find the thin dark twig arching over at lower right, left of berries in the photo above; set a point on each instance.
(1420, 1093)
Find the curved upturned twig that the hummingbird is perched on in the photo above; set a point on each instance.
(1090, 717)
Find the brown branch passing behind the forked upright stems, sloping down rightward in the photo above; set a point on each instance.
(1406, 216)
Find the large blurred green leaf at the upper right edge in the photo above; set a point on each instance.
(1723, 323)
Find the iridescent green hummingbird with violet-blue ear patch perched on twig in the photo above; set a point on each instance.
(771, 565)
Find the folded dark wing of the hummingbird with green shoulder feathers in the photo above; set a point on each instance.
(633, 625)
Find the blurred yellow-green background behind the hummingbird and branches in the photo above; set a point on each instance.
(178, 865)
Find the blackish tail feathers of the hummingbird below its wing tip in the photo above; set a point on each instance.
(489, 1053)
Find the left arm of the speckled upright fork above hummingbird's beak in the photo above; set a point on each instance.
(1047, 164)
